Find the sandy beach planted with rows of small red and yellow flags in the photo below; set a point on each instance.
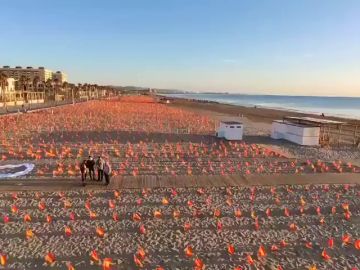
(179, 198)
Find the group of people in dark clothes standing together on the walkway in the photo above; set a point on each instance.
(102, 167)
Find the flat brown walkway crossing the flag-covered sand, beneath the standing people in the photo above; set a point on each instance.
(118, 182)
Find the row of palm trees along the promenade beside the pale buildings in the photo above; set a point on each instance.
(54, 88)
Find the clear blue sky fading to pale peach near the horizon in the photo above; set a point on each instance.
(256, 46)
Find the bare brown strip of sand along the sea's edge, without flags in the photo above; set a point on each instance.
(256, 114)
